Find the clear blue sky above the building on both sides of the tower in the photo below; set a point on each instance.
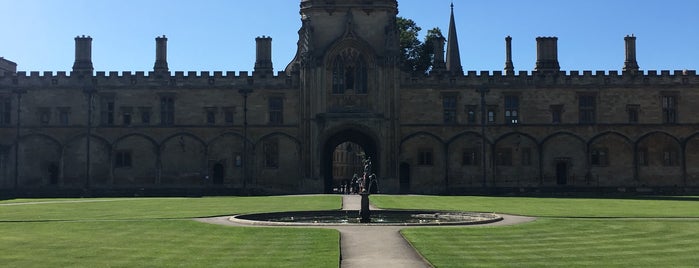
(209, 35)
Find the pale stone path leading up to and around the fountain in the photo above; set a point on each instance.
(376, 246)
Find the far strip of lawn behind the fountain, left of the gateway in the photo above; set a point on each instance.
(157, 208)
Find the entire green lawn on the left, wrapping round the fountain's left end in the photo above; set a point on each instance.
(157, 232)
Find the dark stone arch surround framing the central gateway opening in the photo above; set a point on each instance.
(366, 142)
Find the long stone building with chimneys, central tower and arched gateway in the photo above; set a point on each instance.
(448, 132)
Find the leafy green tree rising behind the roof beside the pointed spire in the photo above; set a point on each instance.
(417, 57)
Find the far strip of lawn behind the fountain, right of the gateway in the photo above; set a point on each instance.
(550, 207)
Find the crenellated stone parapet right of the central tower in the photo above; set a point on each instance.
(526, 79)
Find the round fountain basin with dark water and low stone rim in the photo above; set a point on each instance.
(378, 217)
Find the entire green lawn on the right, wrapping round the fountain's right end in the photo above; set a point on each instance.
(571, 232)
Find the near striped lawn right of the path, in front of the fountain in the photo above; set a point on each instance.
(563, 243)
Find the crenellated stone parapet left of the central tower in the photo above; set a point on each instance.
(140, 79)
